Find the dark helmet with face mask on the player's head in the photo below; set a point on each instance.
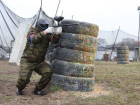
(42, 24)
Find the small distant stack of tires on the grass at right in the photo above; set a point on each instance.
(123, 54)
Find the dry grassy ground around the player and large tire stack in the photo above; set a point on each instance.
(115, 85)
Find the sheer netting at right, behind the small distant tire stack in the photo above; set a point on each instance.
(109, 41)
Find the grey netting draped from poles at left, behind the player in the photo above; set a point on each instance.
(10, 25)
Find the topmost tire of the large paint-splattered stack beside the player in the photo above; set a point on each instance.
(76, 27)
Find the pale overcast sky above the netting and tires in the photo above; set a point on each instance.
(107, 14)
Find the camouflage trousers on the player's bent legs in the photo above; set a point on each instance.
(25, 72)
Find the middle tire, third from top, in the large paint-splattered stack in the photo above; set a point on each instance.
(74, 56)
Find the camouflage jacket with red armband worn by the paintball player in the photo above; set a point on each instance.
(35, 51)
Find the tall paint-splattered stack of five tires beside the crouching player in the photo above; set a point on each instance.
(73, 66)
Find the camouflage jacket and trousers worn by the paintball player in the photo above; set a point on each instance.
(33, 59)
